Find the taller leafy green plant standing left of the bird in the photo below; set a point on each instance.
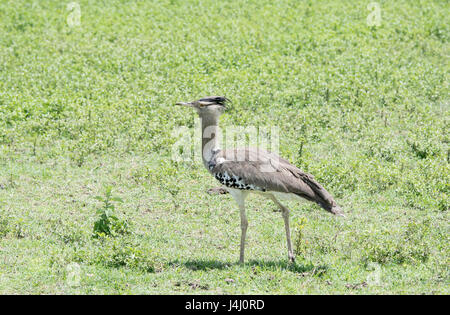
(108, 224)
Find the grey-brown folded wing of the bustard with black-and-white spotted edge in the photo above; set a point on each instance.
(265, 171)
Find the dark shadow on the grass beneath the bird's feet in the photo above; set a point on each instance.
(205, 265)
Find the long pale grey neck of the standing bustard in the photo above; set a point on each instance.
(210, 138)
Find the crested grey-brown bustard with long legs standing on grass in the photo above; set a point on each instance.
(242, 171)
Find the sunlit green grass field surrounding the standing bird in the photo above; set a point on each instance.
(89, 105)
